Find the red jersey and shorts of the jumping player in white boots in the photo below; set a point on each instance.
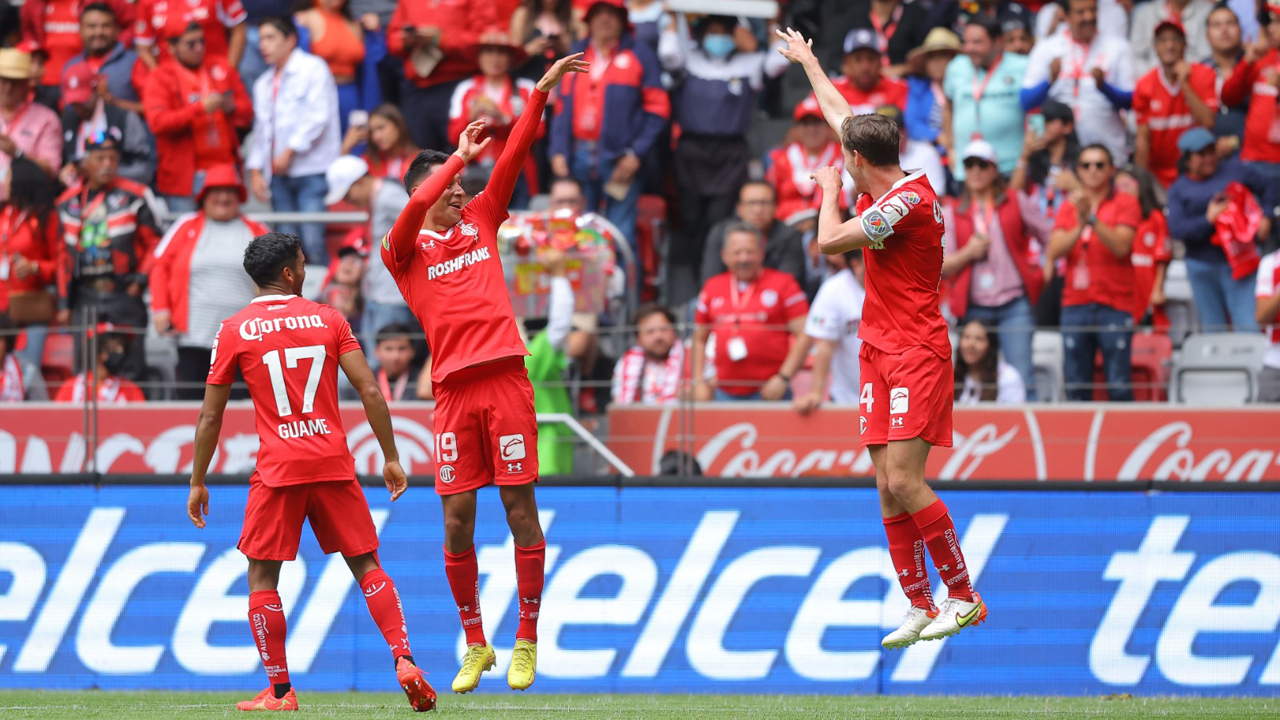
(906, 362)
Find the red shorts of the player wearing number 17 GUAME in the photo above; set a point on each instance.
(337, 509)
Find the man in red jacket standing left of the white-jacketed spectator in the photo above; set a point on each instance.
(195, 104)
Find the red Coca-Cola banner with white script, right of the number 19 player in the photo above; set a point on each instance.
(1087, 443)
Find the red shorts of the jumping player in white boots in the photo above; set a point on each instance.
(906, 397)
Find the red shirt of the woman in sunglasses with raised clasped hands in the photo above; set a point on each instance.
(1094, 274)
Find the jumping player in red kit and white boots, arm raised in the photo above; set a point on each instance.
(907, 377)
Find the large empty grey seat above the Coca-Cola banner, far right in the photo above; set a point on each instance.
(1219, 370)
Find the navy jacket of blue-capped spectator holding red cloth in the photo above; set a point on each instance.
(1190, 199)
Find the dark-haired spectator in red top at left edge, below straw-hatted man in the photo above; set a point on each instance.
(33, 254)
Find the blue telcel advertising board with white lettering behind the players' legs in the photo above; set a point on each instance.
(664, 590)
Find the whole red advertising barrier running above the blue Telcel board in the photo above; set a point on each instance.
(1096, 443)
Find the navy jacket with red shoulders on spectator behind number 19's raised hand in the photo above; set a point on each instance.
(636, 111)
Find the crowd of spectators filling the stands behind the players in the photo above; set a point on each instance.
(1084, 148)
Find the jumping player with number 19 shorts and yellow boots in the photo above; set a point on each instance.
(444, 253)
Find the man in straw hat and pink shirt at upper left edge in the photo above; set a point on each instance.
(26, 129)
